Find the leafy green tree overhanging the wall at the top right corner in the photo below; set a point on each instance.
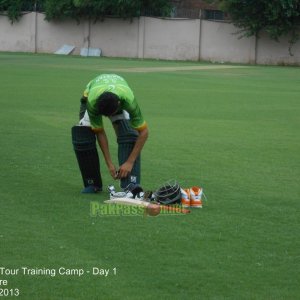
(277, 17)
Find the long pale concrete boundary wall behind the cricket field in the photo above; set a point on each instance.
(145, 37)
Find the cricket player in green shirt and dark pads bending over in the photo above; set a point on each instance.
(109, 95)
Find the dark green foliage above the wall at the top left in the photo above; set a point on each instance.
(93, 9)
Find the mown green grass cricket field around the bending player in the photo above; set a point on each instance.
(234, 131)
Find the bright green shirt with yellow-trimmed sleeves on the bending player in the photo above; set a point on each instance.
(115, 84)
